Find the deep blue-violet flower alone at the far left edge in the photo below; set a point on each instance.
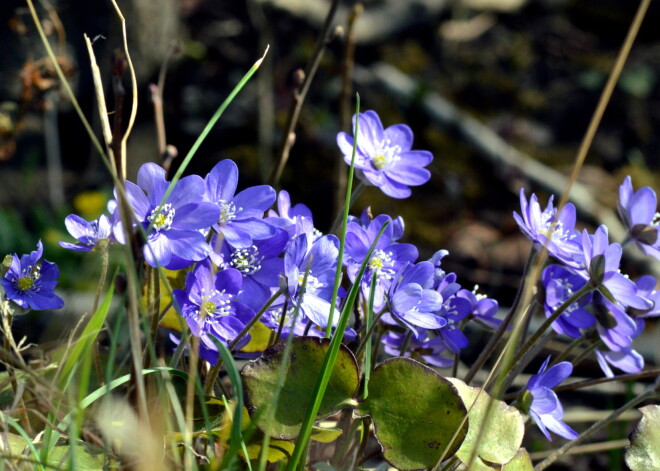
(31, 284)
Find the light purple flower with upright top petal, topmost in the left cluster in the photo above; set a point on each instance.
(241, 215)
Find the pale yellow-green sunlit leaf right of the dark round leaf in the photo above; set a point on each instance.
(504, 429)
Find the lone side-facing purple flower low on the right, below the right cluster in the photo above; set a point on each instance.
(545, 409)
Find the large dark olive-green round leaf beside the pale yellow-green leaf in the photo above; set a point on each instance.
(415, 412)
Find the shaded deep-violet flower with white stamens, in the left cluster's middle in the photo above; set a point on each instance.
(260, 265)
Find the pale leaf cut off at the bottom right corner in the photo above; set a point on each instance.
(643, 454)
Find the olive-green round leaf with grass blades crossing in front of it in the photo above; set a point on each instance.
(260, 378)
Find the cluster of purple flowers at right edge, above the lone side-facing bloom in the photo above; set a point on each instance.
(616, 307)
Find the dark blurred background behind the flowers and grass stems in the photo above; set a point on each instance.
(500, 91)
